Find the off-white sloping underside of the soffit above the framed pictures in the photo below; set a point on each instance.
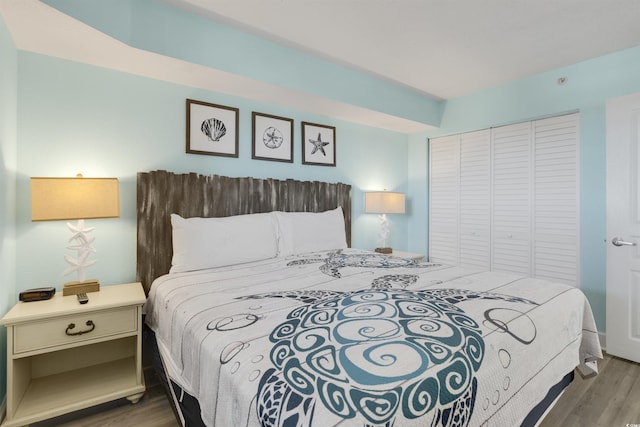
(36, 27)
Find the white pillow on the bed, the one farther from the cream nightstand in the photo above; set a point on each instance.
(301, 232)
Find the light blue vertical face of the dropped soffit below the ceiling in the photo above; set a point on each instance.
(157, 27)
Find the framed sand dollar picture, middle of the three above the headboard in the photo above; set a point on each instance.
(272, 138)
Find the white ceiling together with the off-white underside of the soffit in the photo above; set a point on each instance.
(443, 48)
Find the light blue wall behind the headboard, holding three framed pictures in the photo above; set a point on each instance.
(75, 118)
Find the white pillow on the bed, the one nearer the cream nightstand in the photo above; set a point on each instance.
(201, 243)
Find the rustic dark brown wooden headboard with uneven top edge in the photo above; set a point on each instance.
(161, 193)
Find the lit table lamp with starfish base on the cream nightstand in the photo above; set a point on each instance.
(78, 198)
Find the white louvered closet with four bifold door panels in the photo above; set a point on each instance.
(507, 199)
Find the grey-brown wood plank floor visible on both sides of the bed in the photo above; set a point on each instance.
(611, 399)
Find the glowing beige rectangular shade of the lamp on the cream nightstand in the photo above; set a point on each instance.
(74, 198)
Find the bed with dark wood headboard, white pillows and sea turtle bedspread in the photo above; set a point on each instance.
(264, 316)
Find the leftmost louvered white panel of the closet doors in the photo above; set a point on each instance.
(444, 187)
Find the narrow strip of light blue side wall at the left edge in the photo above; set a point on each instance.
(8, 166)
